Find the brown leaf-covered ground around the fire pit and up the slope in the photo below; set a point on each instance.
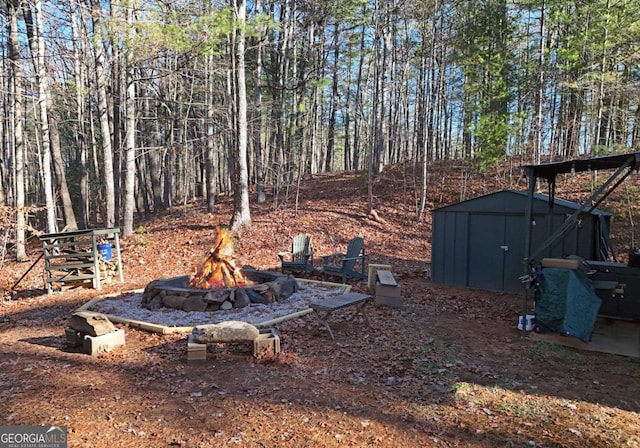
(447, 369)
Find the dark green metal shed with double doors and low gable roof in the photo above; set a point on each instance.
(480, 243)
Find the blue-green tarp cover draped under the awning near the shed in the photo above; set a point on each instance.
(567, 303)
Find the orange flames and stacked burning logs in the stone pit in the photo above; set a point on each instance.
(218, 269)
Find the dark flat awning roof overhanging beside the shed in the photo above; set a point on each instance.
(550, 170)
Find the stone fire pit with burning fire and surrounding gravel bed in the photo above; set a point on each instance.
(218, 291)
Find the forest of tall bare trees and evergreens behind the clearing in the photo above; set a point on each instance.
(113, 108)
